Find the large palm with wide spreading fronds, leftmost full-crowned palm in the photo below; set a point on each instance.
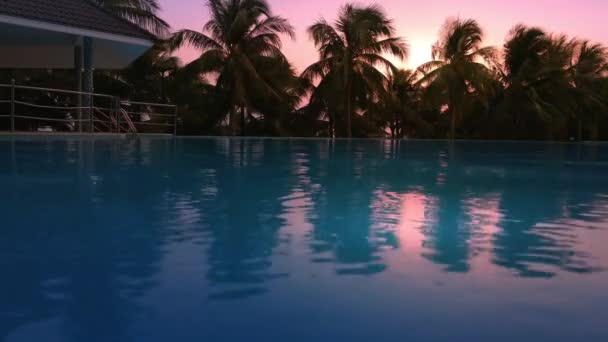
(241, 45)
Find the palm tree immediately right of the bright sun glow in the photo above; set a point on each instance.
(459, 68)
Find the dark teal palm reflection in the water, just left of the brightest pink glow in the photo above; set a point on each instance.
(343, 231)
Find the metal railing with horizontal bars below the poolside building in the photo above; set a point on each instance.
(48, 109)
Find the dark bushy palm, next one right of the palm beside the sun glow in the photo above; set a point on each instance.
(537, 84)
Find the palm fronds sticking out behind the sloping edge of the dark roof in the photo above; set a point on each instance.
(143, 13)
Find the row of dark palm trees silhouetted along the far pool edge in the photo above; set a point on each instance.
(538, 85)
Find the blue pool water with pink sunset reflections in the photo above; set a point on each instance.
(302, 240)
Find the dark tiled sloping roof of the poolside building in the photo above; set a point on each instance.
(83, 14)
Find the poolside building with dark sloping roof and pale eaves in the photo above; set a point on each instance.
(62, 34)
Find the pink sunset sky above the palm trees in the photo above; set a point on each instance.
(419, 21)
